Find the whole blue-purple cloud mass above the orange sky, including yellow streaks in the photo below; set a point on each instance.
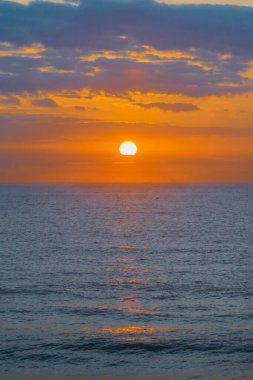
(70, 32)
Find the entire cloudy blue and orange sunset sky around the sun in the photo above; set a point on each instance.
(79, 77)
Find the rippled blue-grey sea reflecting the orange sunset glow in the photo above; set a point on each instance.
(126, 281)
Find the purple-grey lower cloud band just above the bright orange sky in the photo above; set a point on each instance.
(118, 76)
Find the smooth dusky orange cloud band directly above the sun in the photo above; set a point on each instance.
(19, 129)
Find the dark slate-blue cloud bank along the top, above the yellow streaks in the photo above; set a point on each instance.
(97, 24)
